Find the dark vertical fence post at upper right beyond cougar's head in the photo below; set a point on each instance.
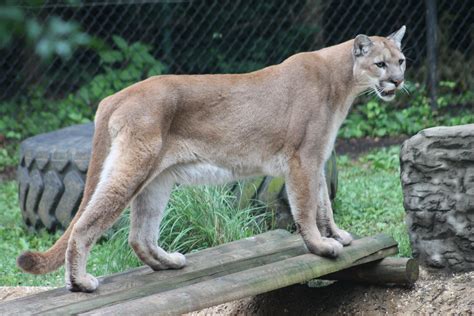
(432, 47)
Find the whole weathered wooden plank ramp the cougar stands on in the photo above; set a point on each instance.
(213, 276)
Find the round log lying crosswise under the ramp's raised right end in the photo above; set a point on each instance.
(401, 271)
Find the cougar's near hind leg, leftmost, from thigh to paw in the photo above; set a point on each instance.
(125, 170)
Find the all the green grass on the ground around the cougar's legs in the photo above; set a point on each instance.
(369, 201)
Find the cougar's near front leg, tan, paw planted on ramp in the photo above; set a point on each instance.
(303, 193)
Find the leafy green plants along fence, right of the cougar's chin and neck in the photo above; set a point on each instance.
(377, 118)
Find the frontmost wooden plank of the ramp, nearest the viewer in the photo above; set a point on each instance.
(245, 283)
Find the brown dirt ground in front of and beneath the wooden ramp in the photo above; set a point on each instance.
(433, 293)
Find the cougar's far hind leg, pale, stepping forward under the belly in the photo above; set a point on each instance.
(146, 214)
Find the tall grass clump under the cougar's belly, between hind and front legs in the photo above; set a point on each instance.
(202, 217)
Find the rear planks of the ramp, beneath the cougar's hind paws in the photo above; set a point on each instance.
(247, 254)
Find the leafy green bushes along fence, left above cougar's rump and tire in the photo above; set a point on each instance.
(35, 113)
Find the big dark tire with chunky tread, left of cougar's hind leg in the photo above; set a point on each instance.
(51, 176)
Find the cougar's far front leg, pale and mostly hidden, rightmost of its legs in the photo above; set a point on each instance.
(325, 217)
